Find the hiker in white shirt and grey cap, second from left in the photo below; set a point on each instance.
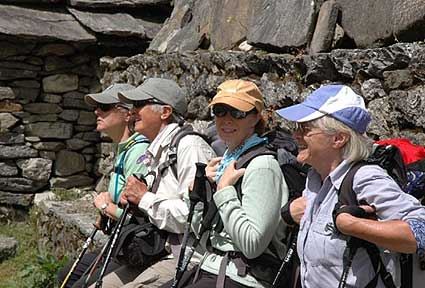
(159, 106)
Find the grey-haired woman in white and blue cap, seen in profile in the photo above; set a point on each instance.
(330, 132)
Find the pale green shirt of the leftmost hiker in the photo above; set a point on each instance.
(131, 165)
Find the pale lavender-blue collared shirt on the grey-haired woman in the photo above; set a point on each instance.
(321, 248)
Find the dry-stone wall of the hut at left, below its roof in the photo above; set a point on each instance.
(47, 136)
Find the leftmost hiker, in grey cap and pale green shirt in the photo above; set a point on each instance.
(113, 119)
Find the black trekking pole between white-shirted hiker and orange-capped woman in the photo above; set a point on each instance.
(195, 196)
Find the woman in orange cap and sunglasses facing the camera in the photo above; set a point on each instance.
(251, 223)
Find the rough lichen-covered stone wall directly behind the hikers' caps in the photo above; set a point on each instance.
(391, 79)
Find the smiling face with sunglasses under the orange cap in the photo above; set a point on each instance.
(234, 131)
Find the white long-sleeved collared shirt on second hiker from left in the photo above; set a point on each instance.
(166, 208)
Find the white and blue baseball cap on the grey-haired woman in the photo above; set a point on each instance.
(337, 101)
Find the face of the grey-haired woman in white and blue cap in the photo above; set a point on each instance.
(314, 145)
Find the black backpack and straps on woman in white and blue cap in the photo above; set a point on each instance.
(389, 158)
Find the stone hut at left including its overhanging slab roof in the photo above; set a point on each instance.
(49, 55)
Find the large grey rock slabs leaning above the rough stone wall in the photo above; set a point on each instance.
(287, 25)
